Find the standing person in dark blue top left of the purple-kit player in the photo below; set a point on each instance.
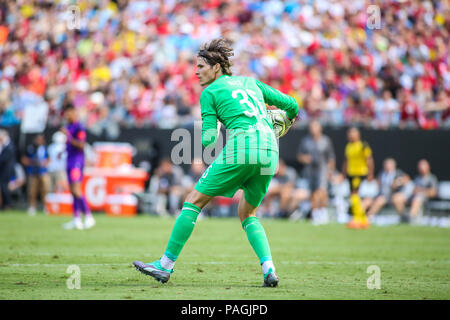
(35, 161)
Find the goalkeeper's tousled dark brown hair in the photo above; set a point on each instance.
(217, 51)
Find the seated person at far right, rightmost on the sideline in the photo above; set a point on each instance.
(425, 187)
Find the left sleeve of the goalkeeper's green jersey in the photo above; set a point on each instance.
(209, 119)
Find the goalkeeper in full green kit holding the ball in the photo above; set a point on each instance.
(247, 161)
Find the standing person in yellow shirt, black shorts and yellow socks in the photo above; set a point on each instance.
(358, 165)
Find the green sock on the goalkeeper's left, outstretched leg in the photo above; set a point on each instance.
(182, 230)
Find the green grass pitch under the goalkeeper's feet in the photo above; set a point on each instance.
(325, 262)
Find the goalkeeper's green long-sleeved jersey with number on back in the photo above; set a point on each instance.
(239, 103)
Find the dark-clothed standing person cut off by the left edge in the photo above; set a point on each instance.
(7, 161)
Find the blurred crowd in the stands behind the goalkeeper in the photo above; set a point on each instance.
(132, 63)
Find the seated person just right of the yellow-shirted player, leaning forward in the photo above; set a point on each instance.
(392, 181)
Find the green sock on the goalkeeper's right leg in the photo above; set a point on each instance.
(257, 238)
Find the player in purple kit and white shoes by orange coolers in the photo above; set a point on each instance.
(76, 137)
